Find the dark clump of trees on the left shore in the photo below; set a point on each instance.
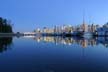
(5, 26)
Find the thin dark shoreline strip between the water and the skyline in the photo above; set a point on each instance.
(62, 35)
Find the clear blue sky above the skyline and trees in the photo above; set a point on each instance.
(27, 15)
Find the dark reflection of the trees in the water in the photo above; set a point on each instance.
(5, 43)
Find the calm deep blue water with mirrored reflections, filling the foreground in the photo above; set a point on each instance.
(53, 54)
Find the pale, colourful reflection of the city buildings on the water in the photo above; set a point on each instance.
(75, 40)
